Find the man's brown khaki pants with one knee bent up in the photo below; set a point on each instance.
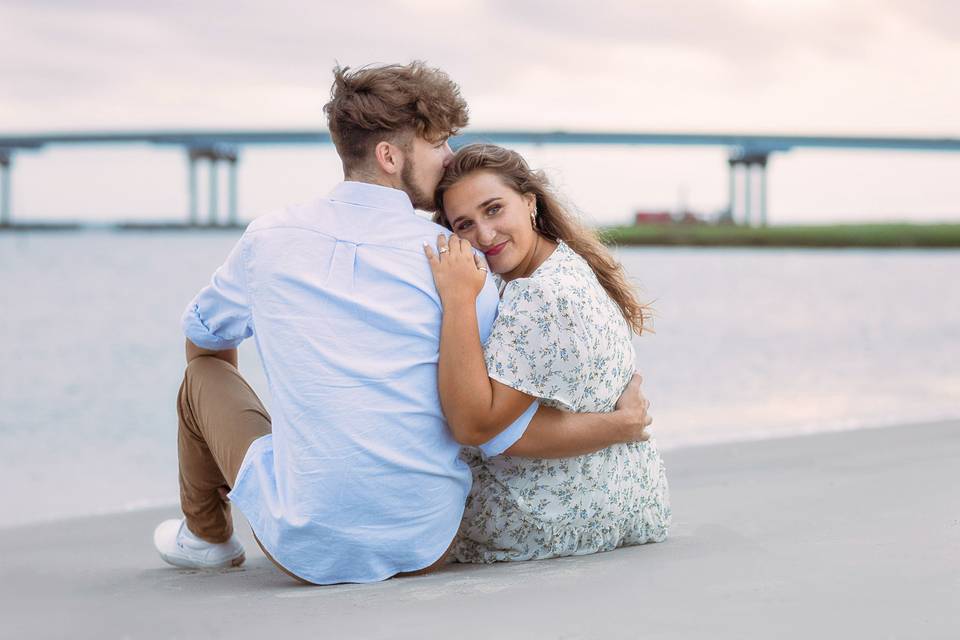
(219, 417)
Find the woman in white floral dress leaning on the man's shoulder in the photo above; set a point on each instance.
(564, 337)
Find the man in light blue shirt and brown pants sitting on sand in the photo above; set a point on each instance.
(357, 477)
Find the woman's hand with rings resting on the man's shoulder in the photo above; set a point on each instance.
(457, 271)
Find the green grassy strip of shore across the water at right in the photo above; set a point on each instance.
(945, 235)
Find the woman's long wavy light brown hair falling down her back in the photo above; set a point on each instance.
(553, 220)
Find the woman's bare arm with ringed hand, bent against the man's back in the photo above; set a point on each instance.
(477, 408)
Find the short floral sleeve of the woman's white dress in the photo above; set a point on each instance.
(534, 346)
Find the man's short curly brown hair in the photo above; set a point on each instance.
(371, 104)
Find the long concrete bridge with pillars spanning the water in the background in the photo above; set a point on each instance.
(747, 159)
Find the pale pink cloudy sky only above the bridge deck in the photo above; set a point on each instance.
(812, 65)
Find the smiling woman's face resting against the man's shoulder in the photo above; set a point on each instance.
(493, 218)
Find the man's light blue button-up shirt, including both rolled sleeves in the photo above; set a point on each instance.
(360, 478)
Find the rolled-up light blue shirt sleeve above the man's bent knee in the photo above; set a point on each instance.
(219, 317)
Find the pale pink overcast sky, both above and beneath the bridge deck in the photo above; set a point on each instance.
(882, 67)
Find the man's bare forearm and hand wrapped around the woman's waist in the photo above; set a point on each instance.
(559, 434)
